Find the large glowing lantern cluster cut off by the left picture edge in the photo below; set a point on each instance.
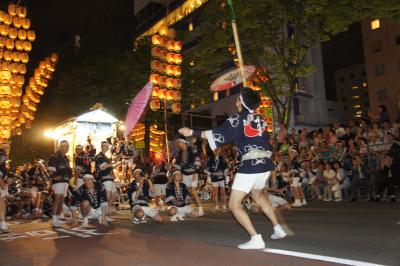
(15, 44)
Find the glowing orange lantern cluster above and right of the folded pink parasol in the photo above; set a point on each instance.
(166, 70)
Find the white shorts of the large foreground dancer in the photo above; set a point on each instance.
(247, 182)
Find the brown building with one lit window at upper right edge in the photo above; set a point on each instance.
(381, 38)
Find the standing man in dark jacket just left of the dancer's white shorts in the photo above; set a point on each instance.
(217, 169)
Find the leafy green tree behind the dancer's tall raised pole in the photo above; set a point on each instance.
(276, 36)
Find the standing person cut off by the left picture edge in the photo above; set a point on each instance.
(3, 192)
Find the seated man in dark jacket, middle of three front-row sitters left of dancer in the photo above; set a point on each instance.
(139, 197)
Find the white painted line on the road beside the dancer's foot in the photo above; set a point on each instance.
(320, 257)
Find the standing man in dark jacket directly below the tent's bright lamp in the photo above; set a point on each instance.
(60, 172)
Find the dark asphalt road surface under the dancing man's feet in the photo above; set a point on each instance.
(326, 233)
